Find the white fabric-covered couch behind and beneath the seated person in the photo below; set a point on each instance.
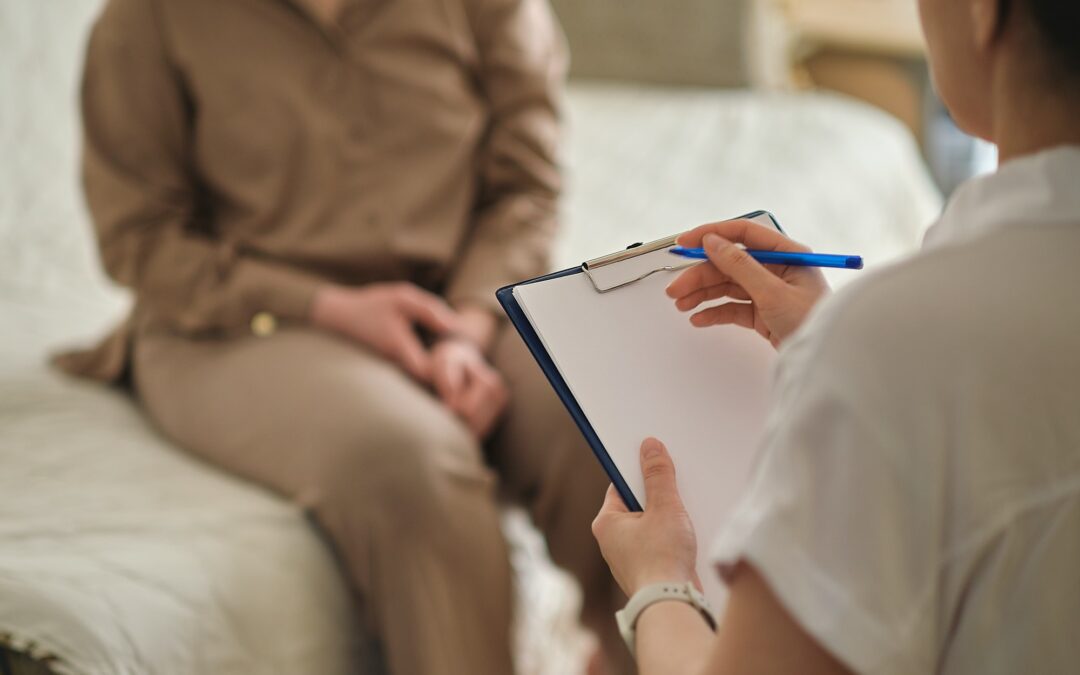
(121, 555)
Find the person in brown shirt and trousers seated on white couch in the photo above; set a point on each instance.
(315, 202)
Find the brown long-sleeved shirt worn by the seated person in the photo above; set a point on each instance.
(241, 153)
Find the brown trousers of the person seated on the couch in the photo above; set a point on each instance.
(406, 493)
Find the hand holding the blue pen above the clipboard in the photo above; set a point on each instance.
(774, 300)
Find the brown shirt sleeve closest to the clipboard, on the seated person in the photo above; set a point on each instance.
(522, 70)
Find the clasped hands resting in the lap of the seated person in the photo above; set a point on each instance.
(384, 317)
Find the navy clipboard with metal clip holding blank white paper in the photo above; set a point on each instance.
(609, 288)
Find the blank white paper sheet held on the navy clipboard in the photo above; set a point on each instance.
(639, 369)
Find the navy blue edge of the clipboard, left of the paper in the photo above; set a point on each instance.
(517, 315)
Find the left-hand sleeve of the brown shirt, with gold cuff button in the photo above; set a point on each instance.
(144, 197)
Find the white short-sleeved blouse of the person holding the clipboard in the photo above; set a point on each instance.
(916, 504)
